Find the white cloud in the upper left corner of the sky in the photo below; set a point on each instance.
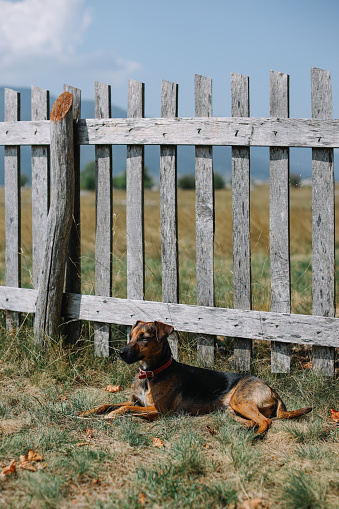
(40, 44)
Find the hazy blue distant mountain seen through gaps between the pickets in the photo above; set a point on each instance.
(300, 158)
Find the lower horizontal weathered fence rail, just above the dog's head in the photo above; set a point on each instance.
(300, 329)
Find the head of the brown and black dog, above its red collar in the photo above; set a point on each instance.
(148, 340)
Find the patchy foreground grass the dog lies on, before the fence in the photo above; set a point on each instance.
(95, 463)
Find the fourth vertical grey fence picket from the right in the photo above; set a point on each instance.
(204, 216)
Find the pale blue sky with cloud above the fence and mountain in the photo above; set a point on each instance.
(50, 42)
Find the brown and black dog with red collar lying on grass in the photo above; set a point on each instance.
(164, 385)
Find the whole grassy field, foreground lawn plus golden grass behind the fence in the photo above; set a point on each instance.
(201, 461)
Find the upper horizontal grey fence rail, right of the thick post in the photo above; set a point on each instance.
(266, 132)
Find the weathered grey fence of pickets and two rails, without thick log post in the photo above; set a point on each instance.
(279, 132)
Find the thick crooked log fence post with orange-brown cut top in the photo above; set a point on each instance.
(52, 276)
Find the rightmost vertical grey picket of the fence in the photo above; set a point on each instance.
(323, 263)
